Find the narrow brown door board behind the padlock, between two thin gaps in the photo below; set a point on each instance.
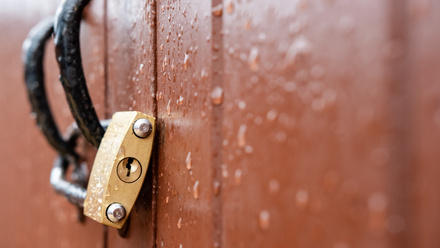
(131, 85)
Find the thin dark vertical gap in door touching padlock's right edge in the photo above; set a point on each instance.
(155, 159)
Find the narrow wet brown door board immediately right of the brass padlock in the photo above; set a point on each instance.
(185, 176)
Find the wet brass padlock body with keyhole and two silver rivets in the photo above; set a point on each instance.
(119, 169)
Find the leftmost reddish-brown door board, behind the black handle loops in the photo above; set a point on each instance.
(33, 215)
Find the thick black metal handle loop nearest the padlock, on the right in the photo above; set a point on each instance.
(68, 53)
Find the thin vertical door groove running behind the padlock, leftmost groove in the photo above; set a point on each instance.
(106, 86)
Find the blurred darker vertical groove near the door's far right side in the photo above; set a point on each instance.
(399, 173)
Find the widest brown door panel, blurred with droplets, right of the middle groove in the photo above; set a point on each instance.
(305, 124)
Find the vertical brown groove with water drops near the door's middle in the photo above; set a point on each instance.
(217, 120)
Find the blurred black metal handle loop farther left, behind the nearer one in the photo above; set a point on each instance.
(33, 54)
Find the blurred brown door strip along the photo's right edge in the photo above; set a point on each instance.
(419, 76)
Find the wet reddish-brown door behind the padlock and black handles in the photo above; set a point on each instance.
(283, 123)
